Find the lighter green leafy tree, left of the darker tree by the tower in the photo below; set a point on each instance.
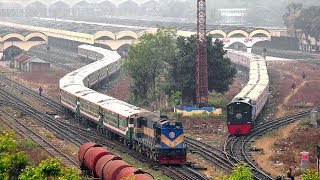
(145, 64)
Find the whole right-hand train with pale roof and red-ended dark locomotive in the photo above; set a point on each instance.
(244, 108)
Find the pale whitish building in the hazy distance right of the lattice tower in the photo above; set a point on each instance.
(234, 16)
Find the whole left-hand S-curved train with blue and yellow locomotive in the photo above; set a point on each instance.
(157, 137)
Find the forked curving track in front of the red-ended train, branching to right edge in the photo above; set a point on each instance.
(239, 147)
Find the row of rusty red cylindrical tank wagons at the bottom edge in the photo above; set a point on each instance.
(103, 164)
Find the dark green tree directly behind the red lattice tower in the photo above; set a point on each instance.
(183, 68)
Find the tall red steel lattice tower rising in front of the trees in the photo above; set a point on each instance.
(202, 62)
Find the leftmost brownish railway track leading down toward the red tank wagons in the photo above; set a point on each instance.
(27, 132)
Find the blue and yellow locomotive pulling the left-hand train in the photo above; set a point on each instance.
(159, 139)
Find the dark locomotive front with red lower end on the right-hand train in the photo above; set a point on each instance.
(239, 116)
